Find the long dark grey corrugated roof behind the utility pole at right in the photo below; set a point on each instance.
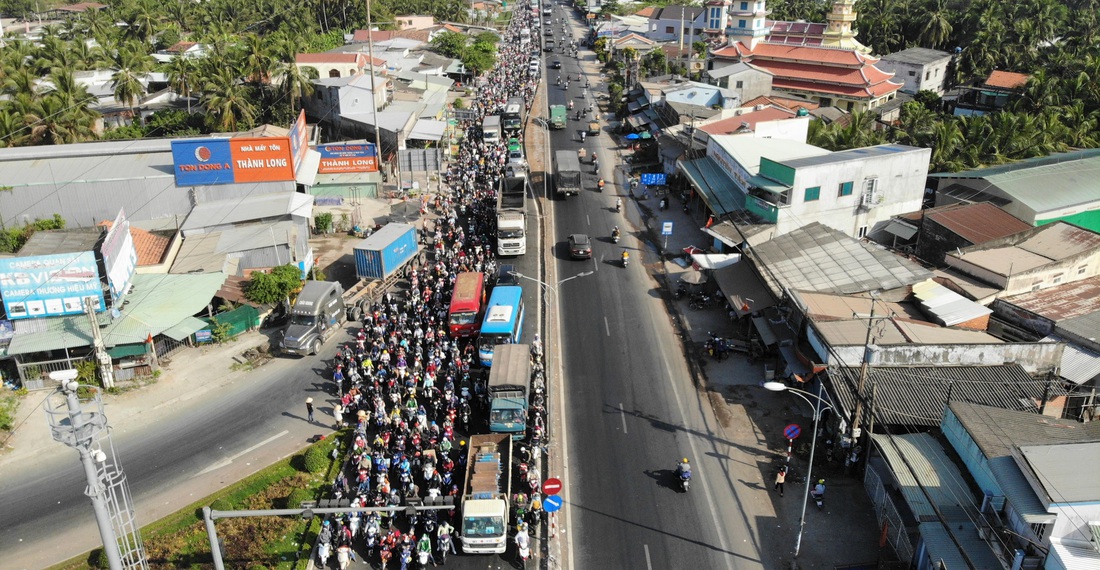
(919, 396)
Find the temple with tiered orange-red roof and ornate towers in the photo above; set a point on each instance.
(821, 62)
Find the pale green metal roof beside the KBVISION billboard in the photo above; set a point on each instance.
(159, 302)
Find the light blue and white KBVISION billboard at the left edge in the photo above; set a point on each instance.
(50, 286)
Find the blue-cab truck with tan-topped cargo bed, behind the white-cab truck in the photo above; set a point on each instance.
(509, 386)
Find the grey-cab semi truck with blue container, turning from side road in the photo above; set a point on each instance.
(323, 306)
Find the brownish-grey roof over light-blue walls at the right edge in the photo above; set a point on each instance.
(997, 431)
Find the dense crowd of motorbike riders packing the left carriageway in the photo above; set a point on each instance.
(411, 391)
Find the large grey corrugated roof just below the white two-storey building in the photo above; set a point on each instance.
(821, 259)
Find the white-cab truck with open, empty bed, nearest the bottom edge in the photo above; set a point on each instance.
(486, 497)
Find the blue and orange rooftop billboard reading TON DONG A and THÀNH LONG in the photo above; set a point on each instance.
(205, 162)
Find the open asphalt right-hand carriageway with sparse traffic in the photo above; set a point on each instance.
(632, 409)
